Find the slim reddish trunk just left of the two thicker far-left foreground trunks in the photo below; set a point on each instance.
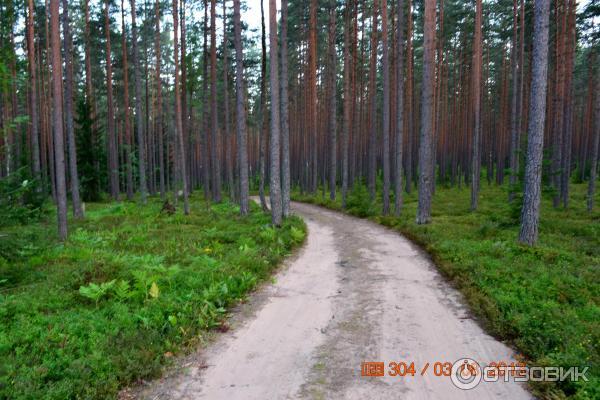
(33, 99)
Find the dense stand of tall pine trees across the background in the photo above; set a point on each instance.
(135, 97)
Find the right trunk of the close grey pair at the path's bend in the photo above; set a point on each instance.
(285, 125)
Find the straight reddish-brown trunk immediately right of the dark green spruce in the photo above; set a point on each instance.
(113, 162)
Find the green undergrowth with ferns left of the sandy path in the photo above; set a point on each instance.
(129, 289)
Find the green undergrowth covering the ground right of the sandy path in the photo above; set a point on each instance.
(543, 299)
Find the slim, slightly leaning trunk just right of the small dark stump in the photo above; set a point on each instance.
(178, 121)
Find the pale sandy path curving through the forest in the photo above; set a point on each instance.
(356, 292)
